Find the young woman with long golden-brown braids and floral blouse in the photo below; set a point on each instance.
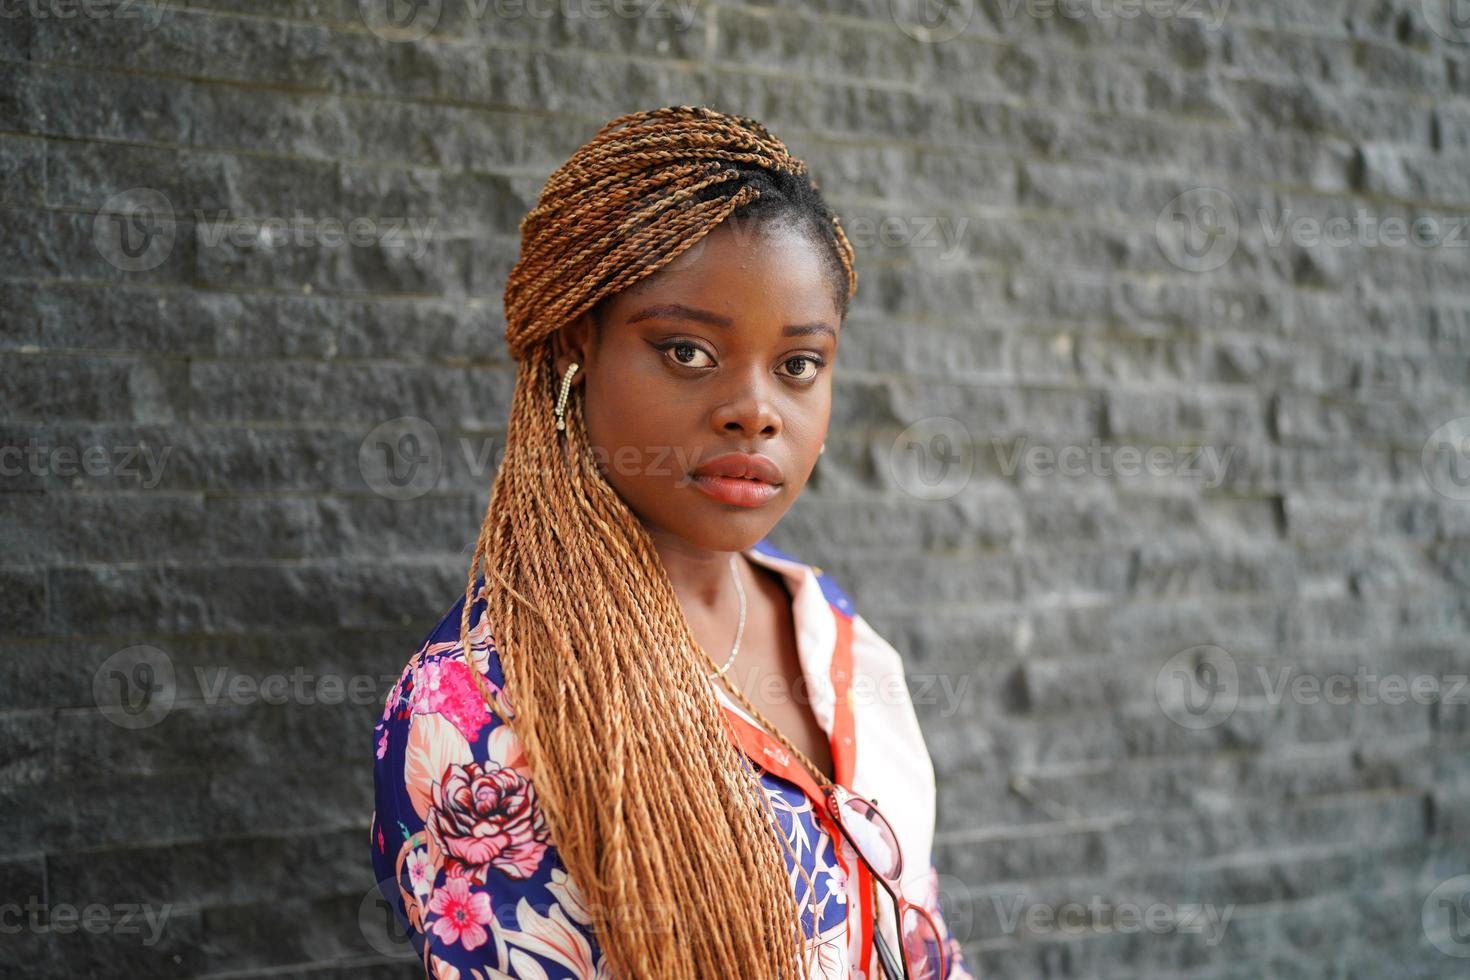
(646, 743)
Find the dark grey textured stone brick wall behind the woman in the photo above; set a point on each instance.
(1140, 378)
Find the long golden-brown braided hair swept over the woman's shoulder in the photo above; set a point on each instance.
(658, 816)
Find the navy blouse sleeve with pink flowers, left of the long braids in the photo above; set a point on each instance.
(459, 843)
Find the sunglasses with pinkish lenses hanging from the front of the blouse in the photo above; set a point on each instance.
(877, 844)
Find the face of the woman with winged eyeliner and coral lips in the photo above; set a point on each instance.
(730, 349)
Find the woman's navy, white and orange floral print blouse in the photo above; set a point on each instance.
(461, 850)
